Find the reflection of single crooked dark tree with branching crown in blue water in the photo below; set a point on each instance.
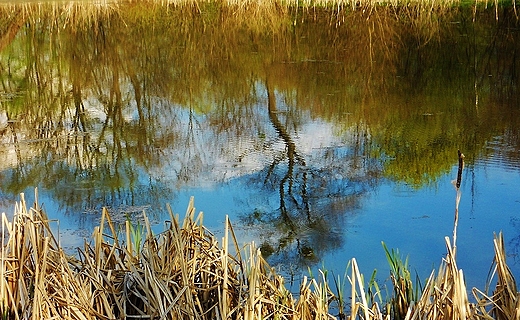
(313, 199)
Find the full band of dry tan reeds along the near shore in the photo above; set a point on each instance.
(127, 272)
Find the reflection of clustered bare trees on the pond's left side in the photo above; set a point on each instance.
(84, 143)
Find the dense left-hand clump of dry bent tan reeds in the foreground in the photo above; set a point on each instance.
(181, 273)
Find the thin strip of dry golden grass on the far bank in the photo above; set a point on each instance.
(87, 9)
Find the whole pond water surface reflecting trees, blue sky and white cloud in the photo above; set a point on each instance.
(321, 134)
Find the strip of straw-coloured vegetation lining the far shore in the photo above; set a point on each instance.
(78, 12)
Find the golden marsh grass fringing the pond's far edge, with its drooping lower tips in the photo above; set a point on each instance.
(259, 14)
